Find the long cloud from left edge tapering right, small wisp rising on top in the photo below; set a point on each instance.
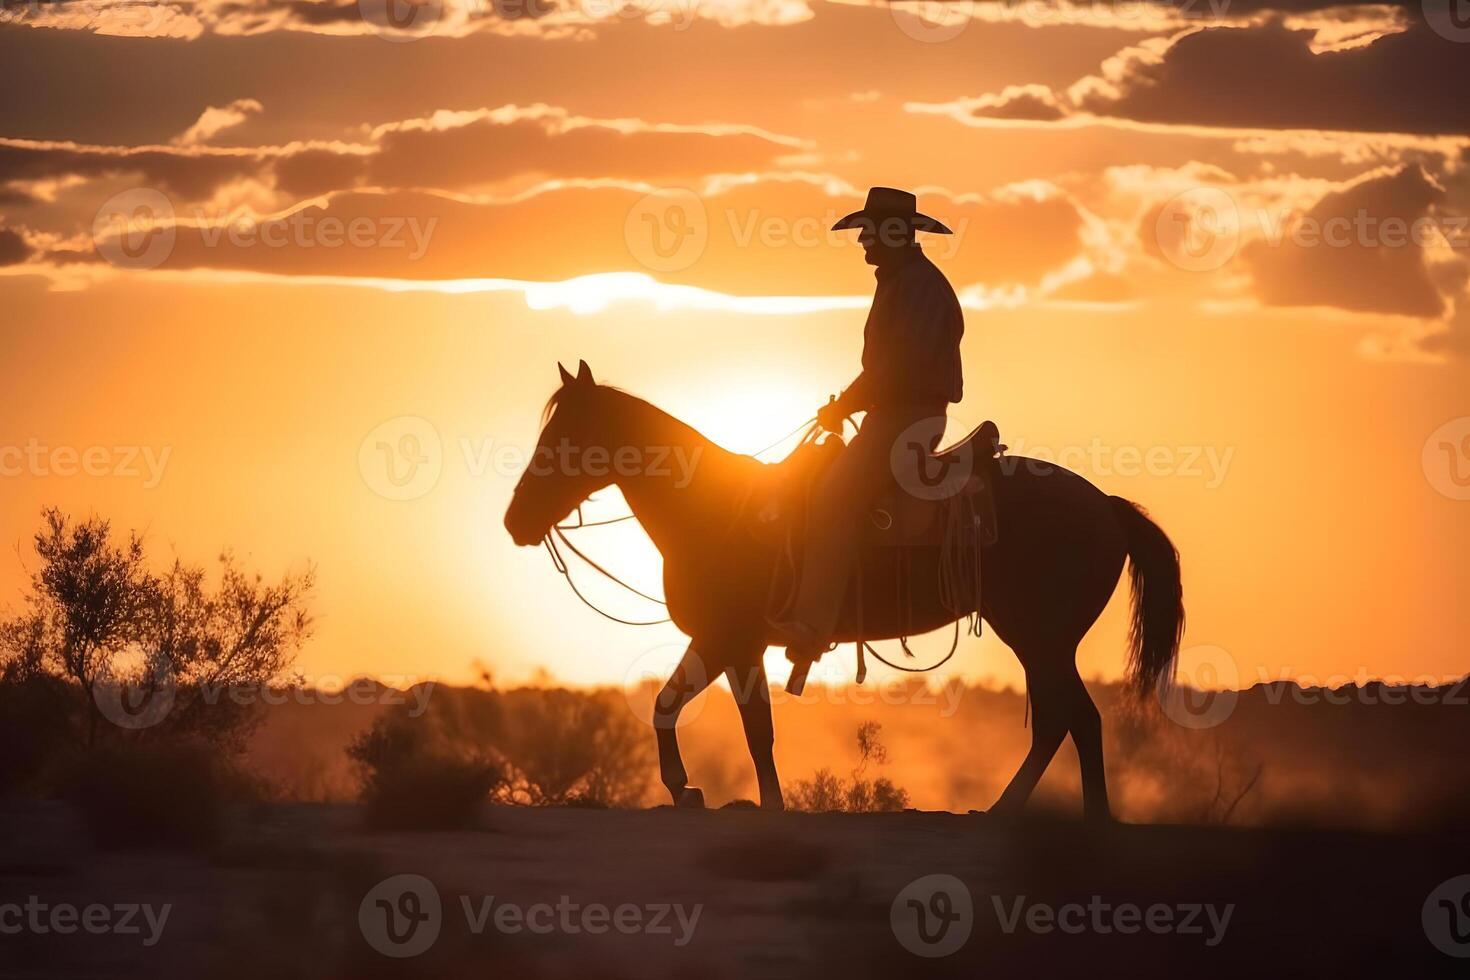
(449, 151)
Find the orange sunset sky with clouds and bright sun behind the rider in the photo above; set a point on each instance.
(1216, 255)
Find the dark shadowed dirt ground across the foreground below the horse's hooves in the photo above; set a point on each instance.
(302, 891)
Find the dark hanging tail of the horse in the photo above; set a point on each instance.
(1159, 606)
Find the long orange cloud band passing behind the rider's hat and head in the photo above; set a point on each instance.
(739, 236)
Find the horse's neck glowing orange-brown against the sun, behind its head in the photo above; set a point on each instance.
(687, 486)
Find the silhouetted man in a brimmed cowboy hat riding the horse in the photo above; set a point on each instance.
(911, 372)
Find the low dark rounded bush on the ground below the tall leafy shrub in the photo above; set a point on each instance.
(152, 794)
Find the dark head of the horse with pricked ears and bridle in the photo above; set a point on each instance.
(562, 472)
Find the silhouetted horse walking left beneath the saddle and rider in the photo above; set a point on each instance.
(1058, 559)
